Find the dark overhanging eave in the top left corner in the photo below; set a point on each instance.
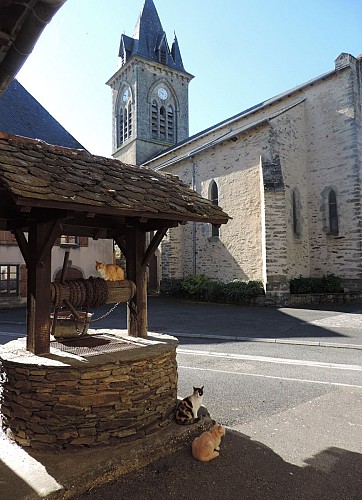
(21, 24)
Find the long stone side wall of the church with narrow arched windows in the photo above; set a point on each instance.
(315, 130)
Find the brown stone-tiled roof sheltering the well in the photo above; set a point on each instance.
(37, 174)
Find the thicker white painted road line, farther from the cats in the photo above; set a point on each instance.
(266, 359)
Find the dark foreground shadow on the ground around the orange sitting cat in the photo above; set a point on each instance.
(245, 470)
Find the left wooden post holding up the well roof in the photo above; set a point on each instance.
(40, 242)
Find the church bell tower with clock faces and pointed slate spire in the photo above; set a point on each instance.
(149, 92)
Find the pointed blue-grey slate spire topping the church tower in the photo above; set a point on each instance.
(149, 39)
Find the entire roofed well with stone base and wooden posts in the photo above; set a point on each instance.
(112, 385)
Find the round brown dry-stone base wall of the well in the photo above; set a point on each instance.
(58, 407)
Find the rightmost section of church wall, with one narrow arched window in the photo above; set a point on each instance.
(333, 160)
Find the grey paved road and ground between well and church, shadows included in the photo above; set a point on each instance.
(286, 382)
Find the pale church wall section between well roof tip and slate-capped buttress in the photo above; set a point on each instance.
(237, 252)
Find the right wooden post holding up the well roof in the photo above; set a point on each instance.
(137, 306)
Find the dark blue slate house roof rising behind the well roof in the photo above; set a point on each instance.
(21, 114)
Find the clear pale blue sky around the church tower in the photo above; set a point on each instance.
(241, 52)
